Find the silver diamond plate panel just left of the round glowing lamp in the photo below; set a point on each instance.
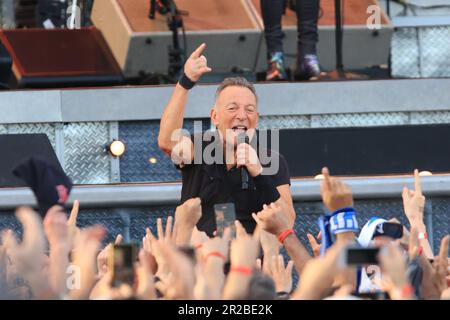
(86, 160)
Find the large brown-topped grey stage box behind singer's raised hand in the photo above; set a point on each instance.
(140, 45)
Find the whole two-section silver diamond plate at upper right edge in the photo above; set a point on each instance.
(423, 52)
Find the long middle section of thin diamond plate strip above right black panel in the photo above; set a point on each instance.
(359, 119)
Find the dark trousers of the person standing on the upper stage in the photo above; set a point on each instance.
(307, 17)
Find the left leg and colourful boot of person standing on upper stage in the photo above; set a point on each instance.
(272, 10)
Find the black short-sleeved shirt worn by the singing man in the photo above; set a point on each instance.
(214, 184)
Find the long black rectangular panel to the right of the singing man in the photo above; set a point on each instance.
(366, 151)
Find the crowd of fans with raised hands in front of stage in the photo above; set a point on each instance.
(57, 260)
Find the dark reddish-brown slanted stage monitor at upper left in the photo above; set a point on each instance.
(61, 57)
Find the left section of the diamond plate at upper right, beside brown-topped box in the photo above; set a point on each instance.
(405, 53)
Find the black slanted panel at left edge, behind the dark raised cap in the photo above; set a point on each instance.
(17, 148)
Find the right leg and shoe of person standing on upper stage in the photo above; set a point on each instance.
(307, 24)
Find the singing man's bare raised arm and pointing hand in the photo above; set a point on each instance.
(172, 118)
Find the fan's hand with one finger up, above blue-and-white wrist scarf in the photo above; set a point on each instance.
(335, 194)
